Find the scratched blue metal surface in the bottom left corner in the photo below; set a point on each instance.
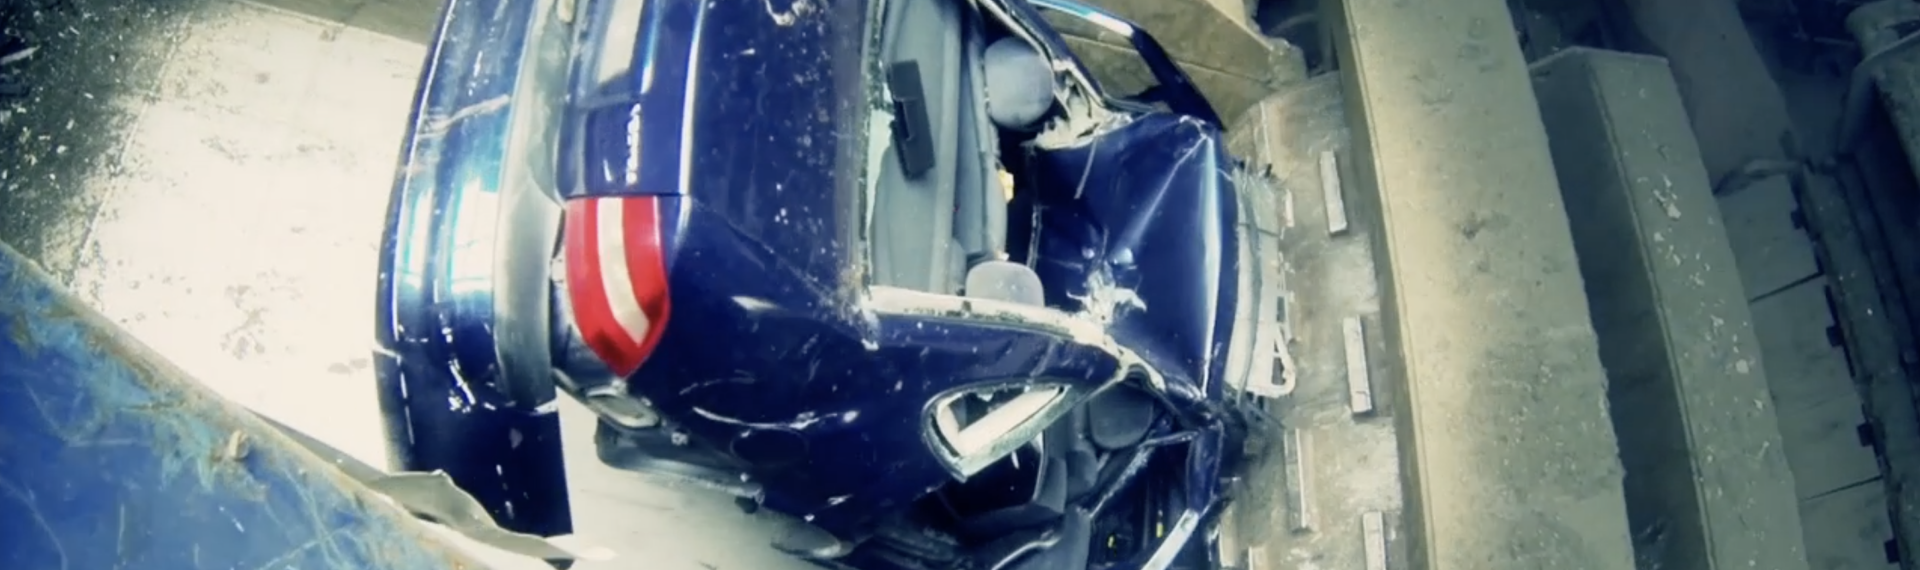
(112, 460)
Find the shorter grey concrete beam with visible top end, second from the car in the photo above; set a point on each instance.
(1698, 431)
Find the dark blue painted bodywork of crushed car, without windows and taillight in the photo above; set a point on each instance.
(807, 381)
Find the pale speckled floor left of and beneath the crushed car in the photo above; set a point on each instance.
(214, 174)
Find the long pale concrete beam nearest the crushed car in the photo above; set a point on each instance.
(1502, 412)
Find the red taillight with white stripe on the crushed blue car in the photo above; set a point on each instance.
(617, 277)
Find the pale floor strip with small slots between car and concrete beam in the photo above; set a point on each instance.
(1326, 490)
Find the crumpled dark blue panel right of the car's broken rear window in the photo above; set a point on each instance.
(1147, 210)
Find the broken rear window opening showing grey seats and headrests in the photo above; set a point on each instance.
(963, 99)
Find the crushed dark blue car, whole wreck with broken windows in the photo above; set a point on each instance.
(900, 270)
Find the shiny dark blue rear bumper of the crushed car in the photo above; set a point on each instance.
(458, 306)
